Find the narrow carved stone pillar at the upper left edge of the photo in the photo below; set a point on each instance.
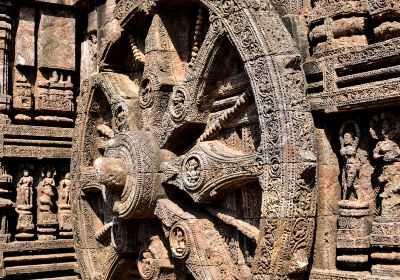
(5, 42)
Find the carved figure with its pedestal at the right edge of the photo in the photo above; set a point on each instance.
(385, 129)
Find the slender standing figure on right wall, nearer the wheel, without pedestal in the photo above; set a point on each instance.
(349, 140)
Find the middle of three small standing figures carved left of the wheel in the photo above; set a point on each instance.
(45, 192)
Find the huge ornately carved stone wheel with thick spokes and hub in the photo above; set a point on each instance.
(195, 156)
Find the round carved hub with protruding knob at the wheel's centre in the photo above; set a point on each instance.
(129, 172)
